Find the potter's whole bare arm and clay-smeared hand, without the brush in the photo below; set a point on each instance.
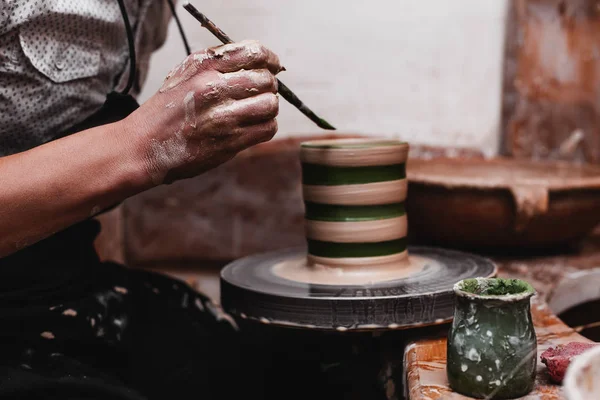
(216, 103)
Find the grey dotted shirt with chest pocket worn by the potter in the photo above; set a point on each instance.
(60, 58)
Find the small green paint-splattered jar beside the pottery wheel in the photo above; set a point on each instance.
(492, 347)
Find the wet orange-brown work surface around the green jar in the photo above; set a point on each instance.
(425, 360)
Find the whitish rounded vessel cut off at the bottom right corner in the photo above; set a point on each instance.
(582, 380)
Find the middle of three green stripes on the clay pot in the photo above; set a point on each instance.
(327, 212)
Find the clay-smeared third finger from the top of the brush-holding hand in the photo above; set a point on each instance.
(248, 111)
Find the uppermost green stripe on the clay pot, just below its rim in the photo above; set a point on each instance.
(313, 174)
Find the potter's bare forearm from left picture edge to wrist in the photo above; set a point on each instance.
(53, 186)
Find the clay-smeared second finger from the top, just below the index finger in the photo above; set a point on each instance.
(240, 85)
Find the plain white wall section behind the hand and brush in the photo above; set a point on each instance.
(426, 71)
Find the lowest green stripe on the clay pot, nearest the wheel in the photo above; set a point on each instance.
(342, 250)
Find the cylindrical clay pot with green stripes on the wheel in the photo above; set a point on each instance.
(354, 193)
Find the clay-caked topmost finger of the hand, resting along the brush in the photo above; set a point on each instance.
(247, 55)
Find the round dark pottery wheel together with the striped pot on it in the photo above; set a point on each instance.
(356, 272)
